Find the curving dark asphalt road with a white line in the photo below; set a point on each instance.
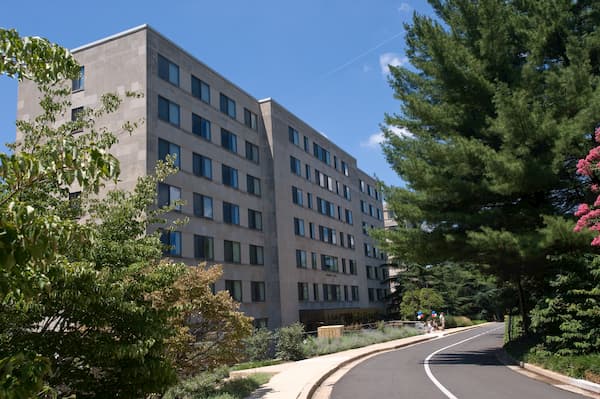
(467, 370)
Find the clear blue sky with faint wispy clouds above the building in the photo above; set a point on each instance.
(324, 60)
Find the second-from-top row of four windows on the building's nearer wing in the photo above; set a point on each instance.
(168, 111)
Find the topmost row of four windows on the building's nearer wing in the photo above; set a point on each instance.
(169, 71)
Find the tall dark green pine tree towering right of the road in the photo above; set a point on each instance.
(496, 99)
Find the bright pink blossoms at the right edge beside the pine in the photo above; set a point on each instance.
(589, 216)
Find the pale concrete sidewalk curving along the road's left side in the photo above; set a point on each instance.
(300, 379)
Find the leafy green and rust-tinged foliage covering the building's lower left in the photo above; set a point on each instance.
(87, 304)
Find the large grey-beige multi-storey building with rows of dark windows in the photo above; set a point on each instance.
(281, 207)
